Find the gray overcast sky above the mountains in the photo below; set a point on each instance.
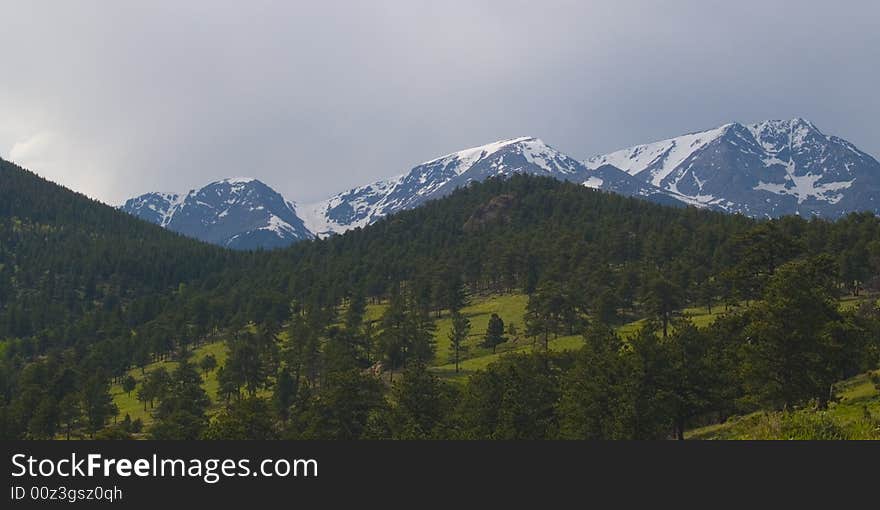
(118, 98)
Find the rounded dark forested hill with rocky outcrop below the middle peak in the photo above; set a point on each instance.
(514, 233)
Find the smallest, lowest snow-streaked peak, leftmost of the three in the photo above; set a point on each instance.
(238, 213)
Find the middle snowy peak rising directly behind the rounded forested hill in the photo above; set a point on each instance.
(433, 179)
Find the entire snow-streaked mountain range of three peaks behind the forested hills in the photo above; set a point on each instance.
(767, 169)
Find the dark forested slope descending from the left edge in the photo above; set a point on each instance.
(73, 271)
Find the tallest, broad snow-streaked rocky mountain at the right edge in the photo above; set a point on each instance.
(767, 169)
